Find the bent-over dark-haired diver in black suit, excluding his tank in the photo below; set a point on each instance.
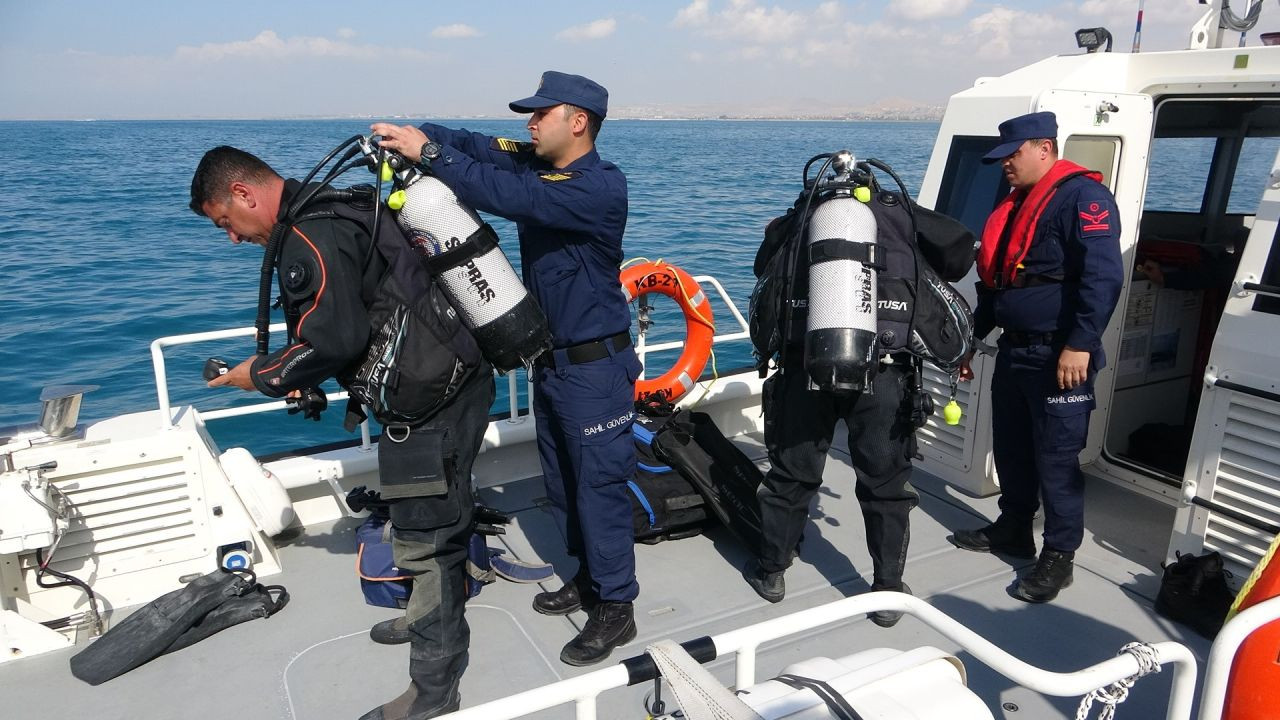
(339, 288)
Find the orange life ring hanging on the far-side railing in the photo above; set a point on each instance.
(680, 286)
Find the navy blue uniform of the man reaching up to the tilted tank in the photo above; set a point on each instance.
(570, 222)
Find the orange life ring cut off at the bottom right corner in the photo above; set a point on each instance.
(1255, 673)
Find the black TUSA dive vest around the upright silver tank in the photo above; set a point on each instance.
(918, 254)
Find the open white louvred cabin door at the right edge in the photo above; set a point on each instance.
(1232, 484)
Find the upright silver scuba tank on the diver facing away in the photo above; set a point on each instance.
(840, 340)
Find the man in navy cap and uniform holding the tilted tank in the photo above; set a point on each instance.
(570, 208)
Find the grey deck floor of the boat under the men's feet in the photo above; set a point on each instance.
(316, 660)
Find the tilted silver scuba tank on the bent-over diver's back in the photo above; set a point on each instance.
(463, 254)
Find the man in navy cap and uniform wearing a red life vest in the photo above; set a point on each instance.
(1050, 275)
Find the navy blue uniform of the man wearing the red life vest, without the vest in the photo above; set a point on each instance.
(1037, 430)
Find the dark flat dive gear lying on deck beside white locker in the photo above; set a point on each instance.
(175, 621)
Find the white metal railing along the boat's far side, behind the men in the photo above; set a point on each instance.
(167, 414)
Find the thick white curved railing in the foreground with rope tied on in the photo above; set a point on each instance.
(744, 644)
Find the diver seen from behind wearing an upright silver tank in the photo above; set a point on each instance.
(892, 309)
